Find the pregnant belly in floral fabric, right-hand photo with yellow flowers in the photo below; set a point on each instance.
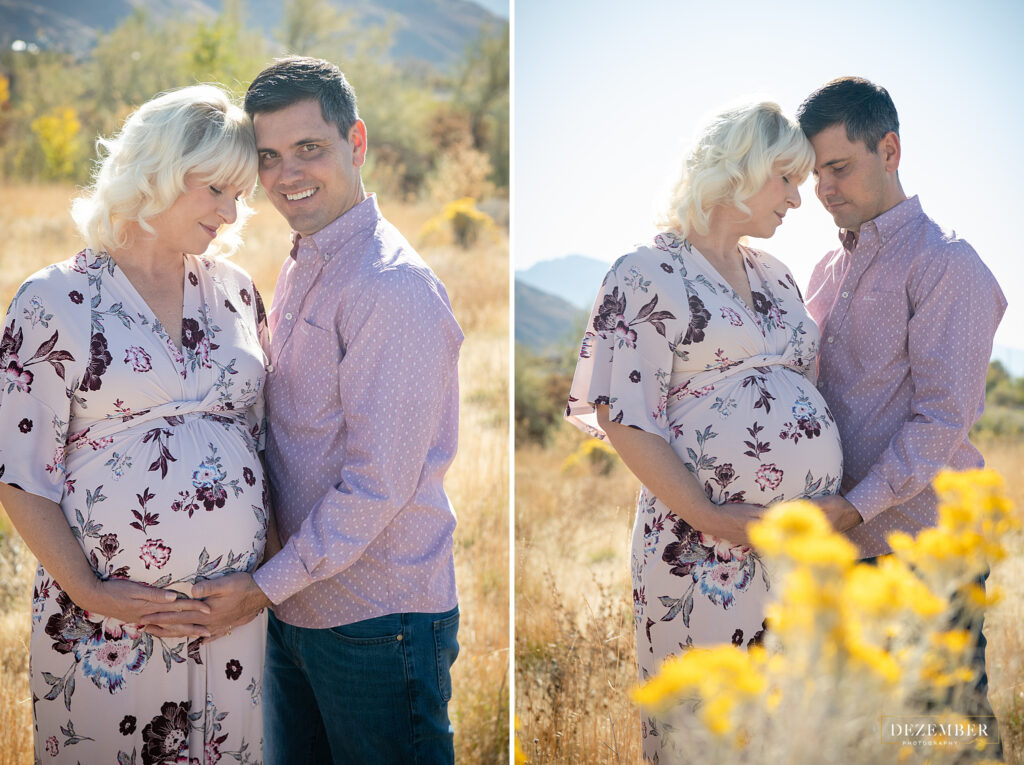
(759, 439)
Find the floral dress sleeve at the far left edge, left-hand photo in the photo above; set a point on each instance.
(36, 387)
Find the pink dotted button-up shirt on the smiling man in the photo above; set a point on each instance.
(363, 406)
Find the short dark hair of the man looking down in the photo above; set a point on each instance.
(865, 108)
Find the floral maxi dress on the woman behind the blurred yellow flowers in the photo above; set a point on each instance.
(672, 350)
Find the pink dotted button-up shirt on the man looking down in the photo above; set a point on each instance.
(908, 315)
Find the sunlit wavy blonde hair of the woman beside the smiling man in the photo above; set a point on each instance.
(194, 132)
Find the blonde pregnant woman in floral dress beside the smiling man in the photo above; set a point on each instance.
(131, 426)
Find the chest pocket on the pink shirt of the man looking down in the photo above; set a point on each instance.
(879, 325)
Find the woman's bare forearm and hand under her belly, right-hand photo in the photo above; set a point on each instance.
(652, 460)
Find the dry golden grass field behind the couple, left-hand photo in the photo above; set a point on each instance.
(40, 232)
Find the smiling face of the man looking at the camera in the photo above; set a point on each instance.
(310, 171)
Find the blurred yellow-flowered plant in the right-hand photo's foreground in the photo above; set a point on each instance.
(848, 643)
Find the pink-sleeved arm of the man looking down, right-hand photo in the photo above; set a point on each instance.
(957, 309)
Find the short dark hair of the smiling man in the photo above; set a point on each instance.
(295, 79)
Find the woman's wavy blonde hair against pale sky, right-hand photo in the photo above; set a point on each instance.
(732, 161)
